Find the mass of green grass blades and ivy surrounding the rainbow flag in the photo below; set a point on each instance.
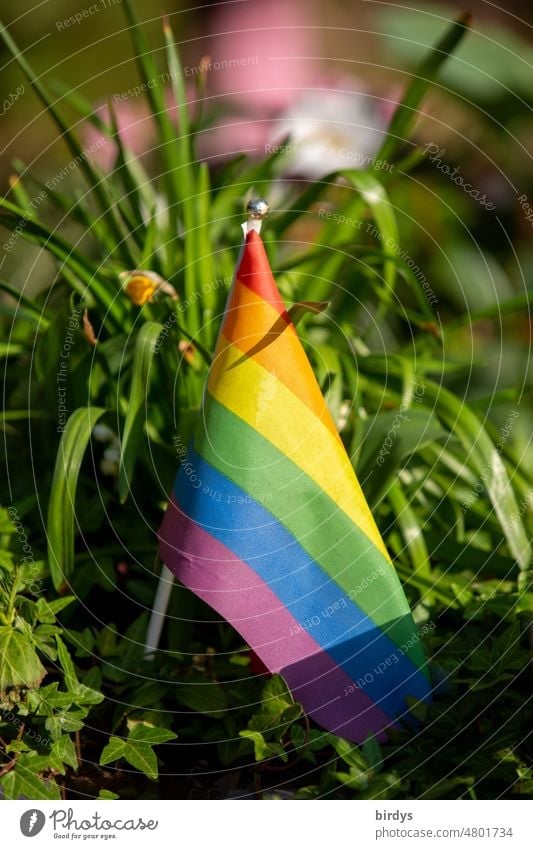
(81, 703)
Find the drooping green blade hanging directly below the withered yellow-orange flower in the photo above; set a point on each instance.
(140, 383)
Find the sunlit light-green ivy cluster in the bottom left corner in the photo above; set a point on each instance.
(38, 718)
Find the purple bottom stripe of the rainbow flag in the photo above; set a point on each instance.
(233, 589)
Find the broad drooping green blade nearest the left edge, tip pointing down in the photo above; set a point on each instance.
(60, 529)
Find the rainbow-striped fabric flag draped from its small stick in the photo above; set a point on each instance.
(268, 524)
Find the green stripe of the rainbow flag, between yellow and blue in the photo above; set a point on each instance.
(342, 550)
